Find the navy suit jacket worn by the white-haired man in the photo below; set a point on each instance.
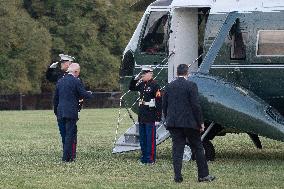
(69, 90)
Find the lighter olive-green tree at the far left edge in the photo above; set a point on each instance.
(25, 49)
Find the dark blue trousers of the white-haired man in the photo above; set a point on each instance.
(70, 142)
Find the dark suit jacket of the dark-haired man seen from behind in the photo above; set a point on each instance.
(181, 106)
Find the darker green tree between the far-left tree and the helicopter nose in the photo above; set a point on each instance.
(94, 31)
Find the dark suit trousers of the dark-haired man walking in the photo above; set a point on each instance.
(179, 136)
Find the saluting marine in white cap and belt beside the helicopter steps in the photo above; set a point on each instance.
(150, 106)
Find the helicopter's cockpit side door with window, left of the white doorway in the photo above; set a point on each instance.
(153, 43)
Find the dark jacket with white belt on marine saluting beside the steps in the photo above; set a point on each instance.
(148, 90)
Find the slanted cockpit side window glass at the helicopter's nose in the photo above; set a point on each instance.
(155, 38)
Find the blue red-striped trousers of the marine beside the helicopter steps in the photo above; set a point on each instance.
(147, 138)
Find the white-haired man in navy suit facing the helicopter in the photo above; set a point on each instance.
(69, 90)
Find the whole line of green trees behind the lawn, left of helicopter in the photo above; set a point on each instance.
(34, 32)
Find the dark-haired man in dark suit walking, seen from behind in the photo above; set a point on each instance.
(183, 117)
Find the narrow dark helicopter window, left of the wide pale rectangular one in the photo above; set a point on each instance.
(238, 38)
